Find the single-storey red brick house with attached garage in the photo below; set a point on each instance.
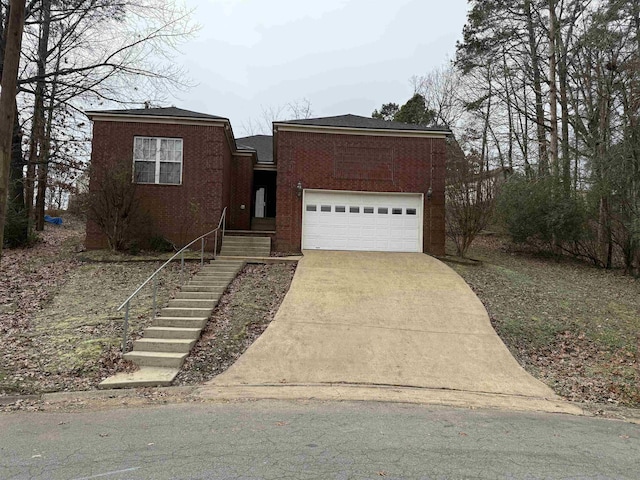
(338, 183)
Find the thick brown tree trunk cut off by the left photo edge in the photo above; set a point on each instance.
(9, 82)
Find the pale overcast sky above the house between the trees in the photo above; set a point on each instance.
(344, 56)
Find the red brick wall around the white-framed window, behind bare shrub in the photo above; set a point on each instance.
(178, 212)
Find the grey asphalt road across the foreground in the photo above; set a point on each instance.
(314, 440)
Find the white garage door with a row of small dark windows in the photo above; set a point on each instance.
(387, 222)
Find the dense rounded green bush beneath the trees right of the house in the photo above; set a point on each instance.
(538, 211)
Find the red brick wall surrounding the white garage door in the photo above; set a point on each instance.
(329, 161)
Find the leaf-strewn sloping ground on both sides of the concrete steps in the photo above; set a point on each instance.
(59, 325)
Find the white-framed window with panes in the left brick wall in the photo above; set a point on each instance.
(157, 160)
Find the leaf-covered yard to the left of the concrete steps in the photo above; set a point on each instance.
(59, 324)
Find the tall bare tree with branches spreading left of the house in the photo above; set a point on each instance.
(90, 52)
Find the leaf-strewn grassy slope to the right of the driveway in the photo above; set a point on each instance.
(572, 325)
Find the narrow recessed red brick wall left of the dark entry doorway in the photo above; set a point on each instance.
(241, 193)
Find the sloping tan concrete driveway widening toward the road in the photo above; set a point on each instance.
(403, 324)
